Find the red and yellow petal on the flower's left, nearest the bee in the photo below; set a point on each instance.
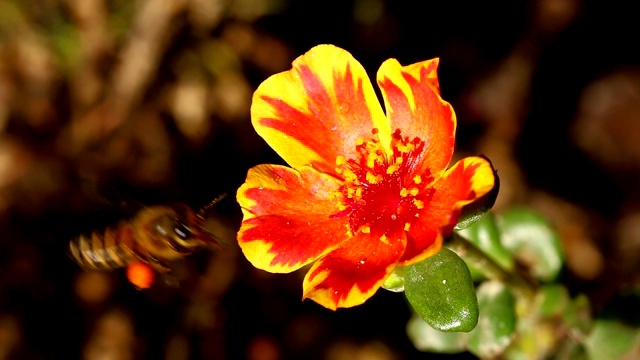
(287, 217)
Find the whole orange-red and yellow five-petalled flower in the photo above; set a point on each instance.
(365, 192)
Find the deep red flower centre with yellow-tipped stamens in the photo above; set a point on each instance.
(379, 195)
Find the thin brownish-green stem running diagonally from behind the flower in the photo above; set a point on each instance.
(474, 255)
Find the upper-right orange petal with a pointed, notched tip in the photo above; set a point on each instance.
(412, 99)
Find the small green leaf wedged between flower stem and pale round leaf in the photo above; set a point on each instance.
(486, 236)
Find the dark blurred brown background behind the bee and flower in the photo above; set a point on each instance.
(110, 105)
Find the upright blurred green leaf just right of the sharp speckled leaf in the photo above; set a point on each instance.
(497, 321)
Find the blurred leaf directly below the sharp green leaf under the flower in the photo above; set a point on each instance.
(426, 338)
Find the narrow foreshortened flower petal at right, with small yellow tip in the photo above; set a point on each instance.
(466, 181)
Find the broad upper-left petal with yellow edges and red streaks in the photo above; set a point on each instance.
(317, 110)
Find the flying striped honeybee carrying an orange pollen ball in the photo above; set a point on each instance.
(156, 236)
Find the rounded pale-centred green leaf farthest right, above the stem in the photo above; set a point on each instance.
(533, 241)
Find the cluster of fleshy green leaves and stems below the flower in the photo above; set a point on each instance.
(541, 321)
